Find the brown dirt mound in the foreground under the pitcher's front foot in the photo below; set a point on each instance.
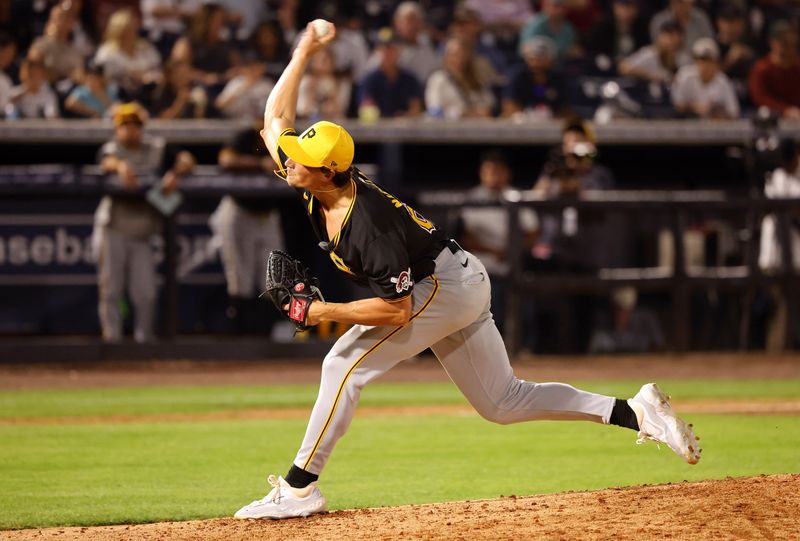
(766, 507)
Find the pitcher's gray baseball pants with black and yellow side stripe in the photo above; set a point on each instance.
(451, 316)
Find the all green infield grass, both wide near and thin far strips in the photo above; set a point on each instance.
(64, 474)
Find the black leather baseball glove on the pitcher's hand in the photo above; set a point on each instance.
(289, 283)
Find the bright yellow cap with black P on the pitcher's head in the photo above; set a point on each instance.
(324, 144)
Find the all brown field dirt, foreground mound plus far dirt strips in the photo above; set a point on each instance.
(764, 507)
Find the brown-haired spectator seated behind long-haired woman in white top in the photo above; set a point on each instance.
(489, 60)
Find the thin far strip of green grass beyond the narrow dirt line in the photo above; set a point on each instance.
(198, 399)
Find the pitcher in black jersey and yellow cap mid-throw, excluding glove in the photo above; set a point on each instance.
(428, 292)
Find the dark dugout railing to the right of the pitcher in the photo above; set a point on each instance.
(676, 210)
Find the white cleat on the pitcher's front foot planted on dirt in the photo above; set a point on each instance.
(285, 501)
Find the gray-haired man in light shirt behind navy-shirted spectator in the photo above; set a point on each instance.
(417, 54)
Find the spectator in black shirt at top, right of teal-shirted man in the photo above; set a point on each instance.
(618, 35)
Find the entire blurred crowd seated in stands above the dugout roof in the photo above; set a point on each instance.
(524, 59)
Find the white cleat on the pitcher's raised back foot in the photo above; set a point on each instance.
(660, 424)
